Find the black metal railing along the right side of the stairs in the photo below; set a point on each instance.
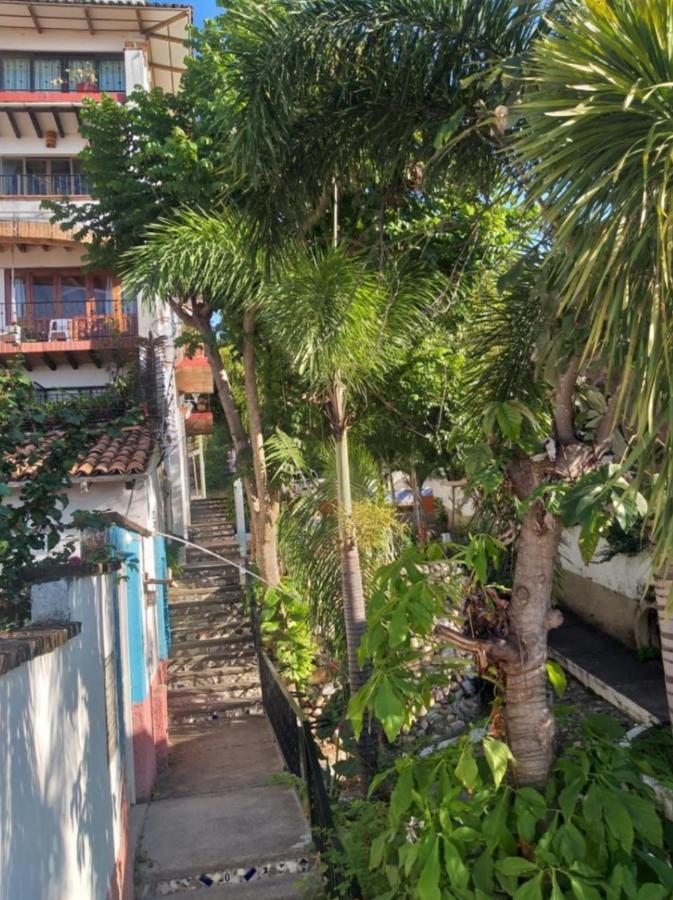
(302, 758)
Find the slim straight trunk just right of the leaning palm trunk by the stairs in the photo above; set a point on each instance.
(266, 531)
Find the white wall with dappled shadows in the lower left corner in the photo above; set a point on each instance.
(59, 805)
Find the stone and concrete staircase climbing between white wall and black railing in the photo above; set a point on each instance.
(219, 826)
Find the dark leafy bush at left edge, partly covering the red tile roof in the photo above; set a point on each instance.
(45, 446)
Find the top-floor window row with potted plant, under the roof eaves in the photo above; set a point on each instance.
(78, 73)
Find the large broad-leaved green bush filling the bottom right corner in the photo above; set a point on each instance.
(455, 825)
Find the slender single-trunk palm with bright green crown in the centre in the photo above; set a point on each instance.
(340, 325)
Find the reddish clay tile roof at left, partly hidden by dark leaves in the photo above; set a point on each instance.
(126, 451)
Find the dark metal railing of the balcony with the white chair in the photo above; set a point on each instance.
(70, 321)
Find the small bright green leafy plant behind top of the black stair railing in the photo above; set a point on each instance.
(285, 629)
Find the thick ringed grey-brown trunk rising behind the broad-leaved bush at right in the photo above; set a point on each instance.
(528, 712)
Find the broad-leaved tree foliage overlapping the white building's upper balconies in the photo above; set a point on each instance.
(143, 160)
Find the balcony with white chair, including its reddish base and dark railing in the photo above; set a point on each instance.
(70, 332)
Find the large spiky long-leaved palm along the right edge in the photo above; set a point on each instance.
(598, 148)
